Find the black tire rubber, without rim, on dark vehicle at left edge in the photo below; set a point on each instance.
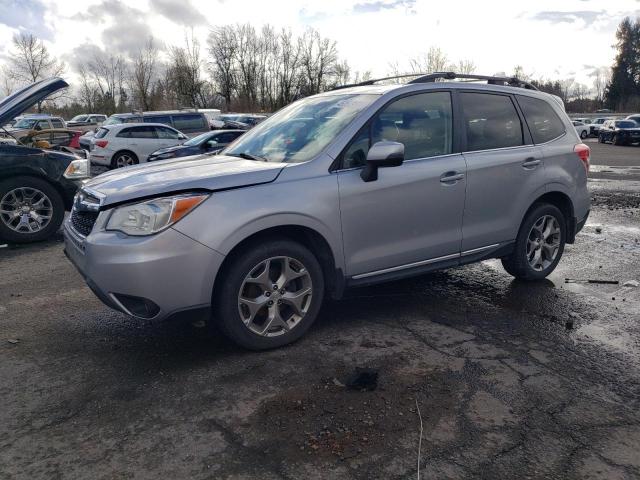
(57, 203)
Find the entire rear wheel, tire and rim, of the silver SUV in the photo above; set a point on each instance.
(519, 263)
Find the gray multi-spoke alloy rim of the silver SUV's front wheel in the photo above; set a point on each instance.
(275, 296)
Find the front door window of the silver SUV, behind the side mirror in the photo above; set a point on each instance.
(422, 123)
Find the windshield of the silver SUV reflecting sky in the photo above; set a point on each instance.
(299, 132)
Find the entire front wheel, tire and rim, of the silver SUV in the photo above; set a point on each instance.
(243, 285)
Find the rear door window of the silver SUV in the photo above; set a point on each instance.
(491, 121)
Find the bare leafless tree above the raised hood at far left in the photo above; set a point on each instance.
(30, 61)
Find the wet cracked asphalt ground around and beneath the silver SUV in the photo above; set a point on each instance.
(508, 380)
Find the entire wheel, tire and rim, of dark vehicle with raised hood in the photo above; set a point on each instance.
(43, 209)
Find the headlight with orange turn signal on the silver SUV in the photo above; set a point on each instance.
(152, 216)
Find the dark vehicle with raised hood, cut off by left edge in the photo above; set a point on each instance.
(37, 184)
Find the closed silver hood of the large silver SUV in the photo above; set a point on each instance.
(200, 172)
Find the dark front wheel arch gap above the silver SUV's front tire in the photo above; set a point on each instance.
(304, 235)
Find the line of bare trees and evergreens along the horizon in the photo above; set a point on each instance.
(241, 68)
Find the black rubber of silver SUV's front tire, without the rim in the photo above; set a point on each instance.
(225, 306)
